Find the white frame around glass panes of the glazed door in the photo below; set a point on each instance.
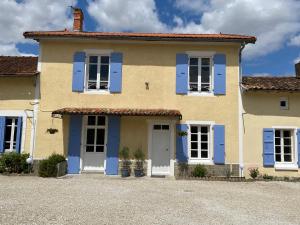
(95, 127)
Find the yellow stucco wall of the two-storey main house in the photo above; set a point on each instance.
(142, 62)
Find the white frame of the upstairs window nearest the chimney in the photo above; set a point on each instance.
(86, 80)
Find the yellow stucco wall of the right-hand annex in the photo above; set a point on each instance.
(262, 111)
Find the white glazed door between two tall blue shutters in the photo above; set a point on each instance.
(95, 144)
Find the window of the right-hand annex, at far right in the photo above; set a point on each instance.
(284, 146)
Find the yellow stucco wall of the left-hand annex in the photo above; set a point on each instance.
(17, 93)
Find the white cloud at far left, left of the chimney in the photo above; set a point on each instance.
(17, 17)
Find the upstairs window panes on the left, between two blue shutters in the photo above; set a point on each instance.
(98, 72)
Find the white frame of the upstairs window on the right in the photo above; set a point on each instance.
(200, 55)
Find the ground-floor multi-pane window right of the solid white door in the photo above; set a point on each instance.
(199, 142)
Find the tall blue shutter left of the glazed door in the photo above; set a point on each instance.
(74, 144)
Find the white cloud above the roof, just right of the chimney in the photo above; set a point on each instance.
(130, 15)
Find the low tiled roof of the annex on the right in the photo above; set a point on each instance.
(271, 83)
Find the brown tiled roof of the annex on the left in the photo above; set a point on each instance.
(18, 66)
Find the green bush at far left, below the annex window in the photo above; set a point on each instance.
(13, 162)
